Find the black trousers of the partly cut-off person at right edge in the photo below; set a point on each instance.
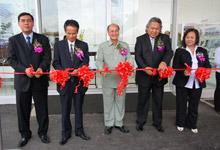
(217, 92)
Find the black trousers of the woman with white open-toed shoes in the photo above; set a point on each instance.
(184, 117)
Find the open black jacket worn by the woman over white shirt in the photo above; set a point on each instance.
(183, 56)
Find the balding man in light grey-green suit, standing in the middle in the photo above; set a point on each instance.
(111, 53)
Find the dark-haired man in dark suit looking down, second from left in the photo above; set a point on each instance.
(66, 55)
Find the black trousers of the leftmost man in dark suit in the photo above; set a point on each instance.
(24, 101)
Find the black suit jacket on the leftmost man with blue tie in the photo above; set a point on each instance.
(20, 57)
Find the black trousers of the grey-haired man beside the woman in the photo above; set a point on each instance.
(143, 103)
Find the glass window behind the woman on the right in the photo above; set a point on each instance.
(202, 15)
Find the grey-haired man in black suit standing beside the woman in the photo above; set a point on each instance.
(152, 50)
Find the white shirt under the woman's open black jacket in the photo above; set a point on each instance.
(192, 77)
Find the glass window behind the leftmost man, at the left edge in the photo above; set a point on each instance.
(9, 11)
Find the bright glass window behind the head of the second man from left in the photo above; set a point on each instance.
(90, 14)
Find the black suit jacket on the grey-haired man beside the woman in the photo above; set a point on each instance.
(145, 57)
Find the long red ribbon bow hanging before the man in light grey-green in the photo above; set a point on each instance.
(124, 71)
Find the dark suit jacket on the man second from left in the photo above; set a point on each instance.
(62, 61)
